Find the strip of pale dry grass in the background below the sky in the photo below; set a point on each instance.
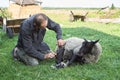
(92, 13)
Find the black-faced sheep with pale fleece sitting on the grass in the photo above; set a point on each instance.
(82, 50)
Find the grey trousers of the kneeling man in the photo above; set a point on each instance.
(20, 55)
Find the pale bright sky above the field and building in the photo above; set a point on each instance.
(72, 3)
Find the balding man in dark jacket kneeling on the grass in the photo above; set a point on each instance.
(30, 48)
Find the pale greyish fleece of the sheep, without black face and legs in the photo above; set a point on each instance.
(72, 46)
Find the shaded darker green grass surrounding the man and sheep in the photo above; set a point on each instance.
(109, 59)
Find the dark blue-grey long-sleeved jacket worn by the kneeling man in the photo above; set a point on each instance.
(30, 39)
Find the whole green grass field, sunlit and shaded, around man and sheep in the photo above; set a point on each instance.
(107, 68)
